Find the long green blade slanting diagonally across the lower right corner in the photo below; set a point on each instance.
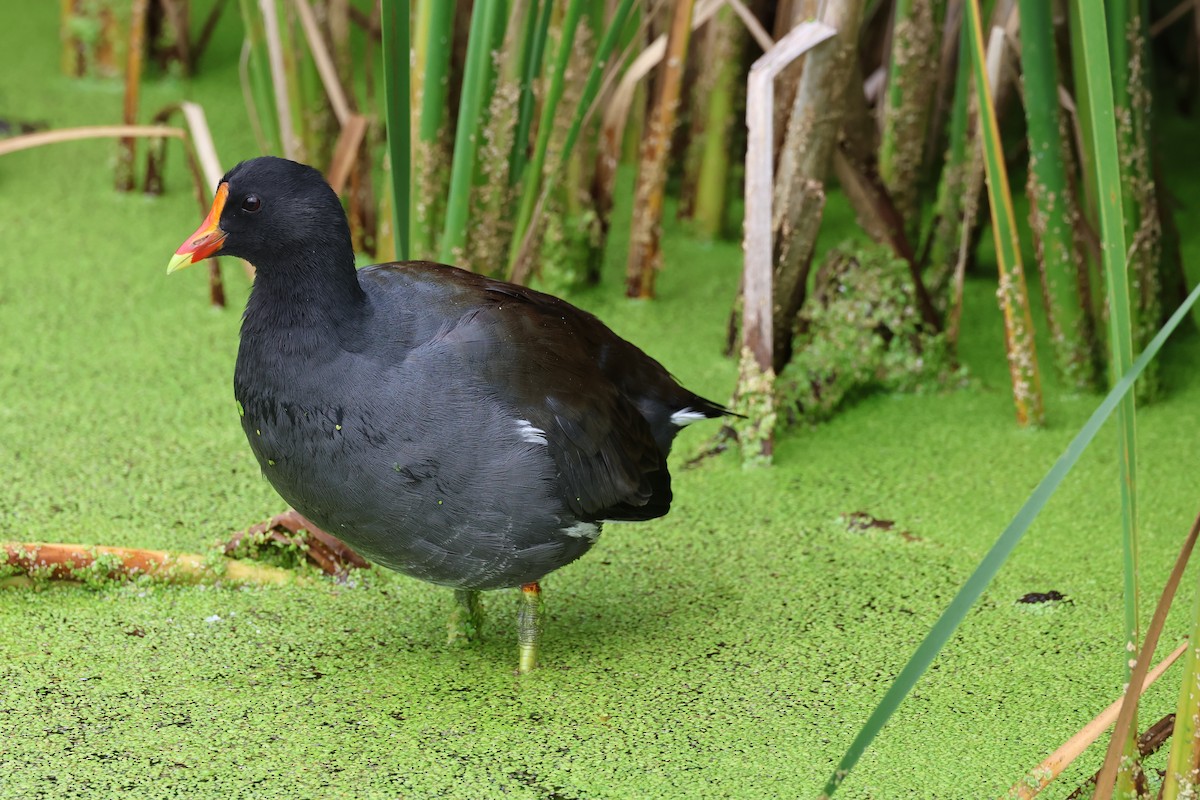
(944, 629)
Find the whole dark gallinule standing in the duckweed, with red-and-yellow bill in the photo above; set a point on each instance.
(460, 430)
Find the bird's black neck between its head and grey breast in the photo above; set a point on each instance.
(317, 292)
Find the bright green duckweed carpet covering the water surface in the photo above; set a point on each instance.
(730, 649)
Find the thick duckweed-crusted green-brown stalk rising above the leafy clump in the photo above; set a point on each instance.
(908, 104)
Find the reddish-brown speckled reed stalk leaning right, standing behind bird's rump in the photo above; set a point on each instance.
(646, 231)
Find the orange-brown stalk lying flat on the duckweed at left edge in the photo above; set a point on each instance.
(93, 563)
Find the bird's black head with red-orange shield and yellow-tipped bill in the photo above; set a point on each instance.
(268, 210)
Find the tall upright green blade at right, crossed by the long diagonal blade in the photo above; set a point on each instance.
(1094, 41)
